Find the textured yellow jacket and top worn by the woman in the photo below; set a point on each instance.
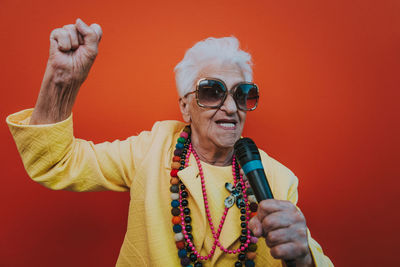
(53, 157)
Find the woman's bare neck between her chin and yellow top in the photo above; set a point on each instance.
(212, 154)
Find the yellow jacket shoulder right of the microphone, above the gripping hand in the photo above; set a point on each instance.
(281, 179)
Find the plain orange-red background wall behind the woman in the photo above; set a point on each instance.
(329, 77)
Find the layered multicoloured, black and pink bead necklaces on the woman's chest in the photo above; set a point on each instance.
(241, 195)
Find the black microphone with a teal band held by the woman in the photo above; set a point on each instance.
(249, 158)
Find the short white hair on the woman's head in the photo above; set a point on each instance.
(209, 51)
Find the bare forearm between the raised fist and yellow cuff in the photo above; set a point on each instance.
(56, 97)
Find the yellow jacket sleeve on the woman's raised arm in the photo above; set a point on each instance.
(53, 157)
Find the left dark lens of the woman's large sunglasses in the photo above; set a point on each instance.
(211, 93)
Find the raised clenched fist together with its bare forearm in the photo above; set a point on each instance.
(73, 49)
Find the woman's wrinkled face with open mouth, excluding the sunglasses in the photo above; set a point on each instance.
(220, 127)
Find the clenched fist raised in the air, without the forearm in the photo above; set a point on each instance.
(73, 49)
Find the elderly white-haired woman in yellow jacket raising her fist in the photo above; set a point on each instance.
(178, 174)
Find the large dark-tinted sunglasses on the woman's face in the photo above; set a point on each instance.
(212, 92)
